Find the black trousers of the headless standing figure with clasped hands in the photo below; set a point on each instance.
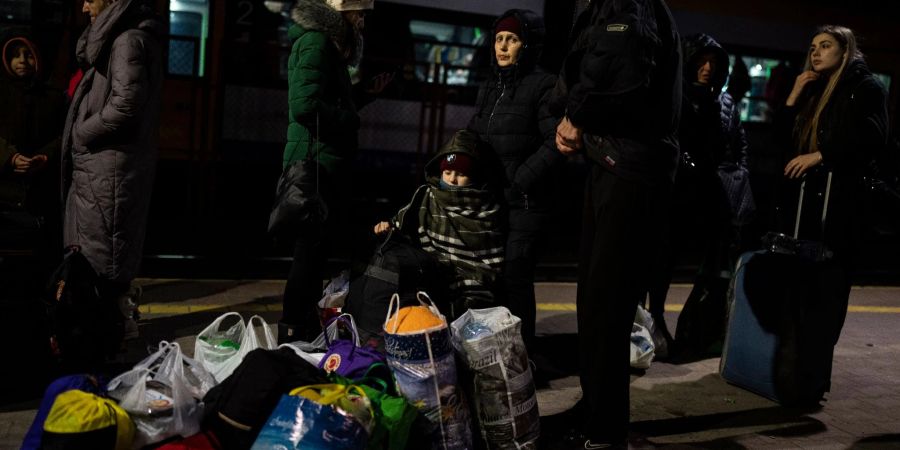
(623, 222)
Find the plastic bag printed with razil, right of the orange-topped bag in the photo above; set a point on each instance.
(490, 342)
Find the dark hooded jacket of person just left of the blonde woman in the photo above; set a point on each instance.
(710, 133)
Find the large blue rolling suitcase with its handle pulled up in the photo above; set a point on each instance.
(782, 324)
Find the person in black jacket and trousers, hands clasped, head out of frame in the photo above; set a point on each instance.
(619, 97)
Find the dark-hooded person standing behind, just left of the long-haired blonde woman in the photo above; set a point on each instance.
(711, 198)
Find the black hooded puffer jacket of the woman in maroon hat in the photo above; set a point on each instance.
(512, 118)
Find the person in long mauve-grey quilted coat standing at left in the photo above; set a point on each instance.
(110, 139)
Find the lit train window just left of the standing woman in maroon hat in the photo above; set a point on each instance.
(445, 52)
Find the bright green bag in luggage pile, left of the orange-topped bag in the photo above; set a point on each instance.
(393, 414)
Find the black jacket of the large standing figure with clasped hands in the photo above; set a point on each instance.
(621, 85)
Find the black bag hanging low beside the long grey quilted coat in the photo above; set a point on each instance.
(84, 328)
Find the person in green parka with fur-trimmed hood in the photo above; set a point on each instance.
(327, 41)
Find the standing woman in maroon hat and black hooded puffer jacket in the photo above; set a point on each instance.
(512, 118)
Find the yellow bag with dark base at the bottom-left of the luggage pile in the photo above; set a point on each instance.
(85, 420)
